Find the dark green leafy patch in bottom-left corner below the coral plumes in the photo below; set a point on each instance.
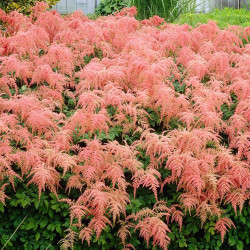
(44, 225)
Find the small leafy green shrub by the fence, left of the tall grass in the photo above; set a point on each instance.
(108, 7)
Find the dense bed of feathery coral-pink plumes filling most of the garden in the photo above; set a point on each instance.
(104, 110)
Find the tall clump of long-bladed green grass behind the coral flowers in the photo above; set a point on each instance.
(170, 10)
